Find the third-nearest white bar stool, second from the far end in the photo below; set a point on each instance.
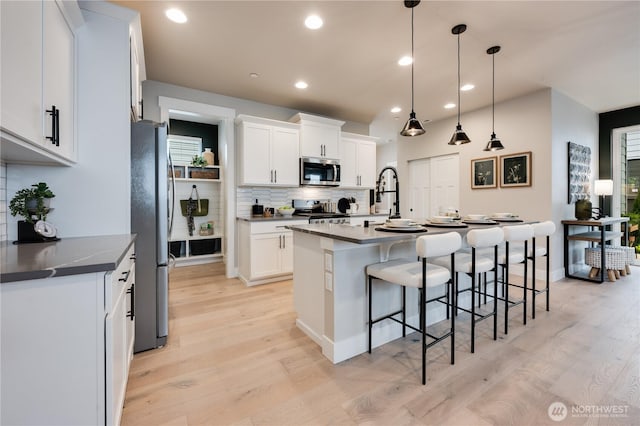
(516, 239)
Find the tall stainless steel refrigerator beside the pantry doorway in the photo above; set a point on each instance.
(151, 210)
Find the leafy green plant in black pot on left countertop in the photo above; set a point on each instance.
(33, 204)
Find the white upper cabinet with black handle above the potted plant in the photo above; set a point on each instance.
(38, 81)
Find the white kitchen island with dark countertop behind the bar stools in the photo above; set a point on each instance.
(329, 285)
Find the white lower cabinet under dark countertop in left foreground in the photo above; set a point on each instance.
(66, 345)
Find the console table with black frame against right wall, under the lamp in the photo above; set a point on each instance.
(599, 232)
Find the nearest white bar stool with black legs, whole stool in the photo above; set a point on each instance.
(421, 275)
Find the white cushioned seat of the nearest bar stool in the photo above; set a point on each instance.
(409, 272)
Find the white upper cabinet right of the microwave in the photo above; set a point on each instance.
(357, 161)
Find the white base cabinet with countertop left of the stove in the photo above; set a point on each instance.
(267, 253)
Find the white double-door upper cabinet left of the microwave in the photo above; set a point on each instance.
(268, 152)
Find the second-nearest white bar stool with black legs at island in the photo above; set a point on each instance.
(474, 265)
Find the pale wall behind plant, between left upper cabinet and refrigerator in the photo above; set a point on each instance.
(92, 197)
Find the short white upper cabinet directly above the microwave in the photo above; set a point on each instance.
(319, 136)
